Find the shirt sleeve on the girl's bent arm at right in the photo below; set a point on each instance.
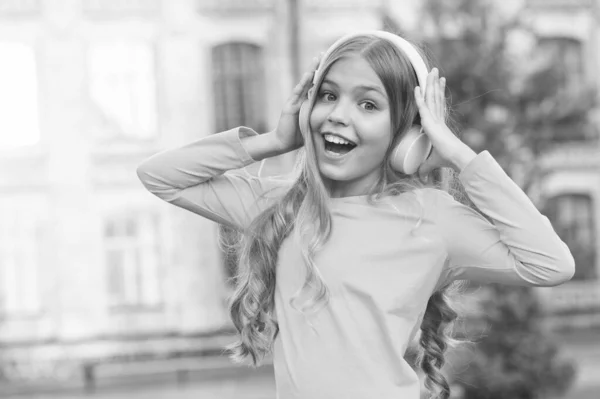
(520, 247)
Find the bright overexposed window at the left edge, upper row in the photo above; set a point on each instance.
(18, 97)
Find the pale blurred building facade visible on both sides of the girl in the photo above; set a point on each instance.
(91, 265)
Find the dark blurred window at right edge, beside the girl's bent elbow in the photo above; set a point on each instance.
(572, 216)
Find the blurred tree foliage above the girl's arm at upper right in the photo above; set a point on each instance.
(510, 94)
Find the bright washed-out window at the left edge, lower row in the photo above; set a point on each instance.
(19, 262)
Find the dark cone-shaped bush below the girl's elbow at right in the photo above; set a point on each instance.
(516, 359)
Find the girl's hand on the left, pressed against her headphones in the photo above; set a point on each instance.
(287, 133)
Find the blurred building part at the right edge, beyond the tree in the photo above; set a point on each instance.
(571, 185)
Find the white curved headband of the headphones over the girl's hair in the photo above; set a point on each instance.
(407, 48)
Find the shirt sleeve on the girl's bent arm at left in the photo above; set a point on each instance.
(198, 177)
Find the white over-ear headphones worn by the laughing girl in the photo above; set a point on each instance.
(414, 147)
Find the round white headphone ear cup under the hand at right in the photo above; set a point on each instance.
(411, 151)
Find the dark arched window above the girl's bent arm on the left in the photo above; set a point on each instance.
(239, 86)
